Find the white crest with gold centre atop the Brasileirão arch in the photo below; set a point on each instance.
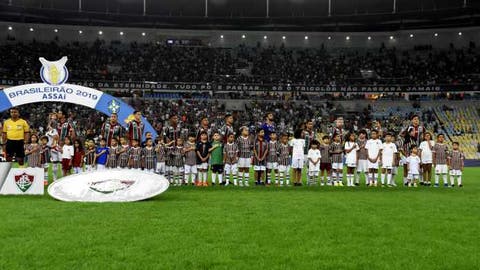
(54, 72)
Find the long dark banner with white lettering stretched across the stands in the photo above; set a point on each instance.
(353, 88)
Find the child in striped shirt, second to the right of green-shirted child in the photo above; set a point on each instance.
(245, 146)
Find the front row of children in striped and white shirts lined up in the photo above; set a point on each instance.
(183, 162)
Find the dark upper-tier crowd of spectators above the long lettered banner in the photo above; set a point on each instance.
(170, 63)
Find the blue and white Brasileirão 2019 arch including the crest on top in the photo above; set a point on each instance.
(54, 89)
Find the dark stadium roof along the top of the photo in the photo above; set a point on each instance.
(291, 15)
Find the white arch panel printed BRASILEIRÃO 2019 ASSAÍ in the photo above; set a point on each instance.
(42, 92)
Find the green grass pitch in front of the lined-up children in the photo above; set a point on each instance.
(250, 228)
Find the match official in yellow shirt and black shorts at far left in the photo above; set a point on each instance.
(15, 135)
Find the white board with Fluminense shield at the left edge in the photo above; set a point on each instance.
(20, 181)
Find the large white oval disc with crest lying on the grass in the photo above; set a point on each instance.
(108, 186)
